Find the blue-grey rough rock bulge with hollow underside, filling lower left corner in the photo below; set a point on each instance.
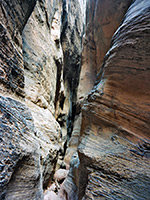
(20, 174)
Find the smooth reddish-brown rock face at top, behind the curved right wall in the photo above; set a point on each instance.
(103, 17)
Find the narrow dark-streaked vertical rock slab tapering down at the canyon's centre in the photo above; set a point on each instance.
(71, 40)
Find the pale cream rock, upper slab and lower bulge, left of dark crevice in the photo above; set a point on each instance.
(43, 62)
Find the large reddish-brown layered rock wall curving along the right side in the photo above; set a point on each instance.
(114, 147)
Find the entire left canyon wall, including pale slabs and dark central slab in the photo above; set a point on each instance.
(32, 75)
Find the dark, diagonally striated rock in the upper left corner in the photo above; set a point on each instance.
(11, 26)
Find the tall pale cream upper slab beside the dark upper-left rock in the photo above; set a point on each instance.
(42, 54)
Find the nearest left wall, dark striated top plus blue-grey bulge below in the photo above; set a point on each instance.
(20, 158)
